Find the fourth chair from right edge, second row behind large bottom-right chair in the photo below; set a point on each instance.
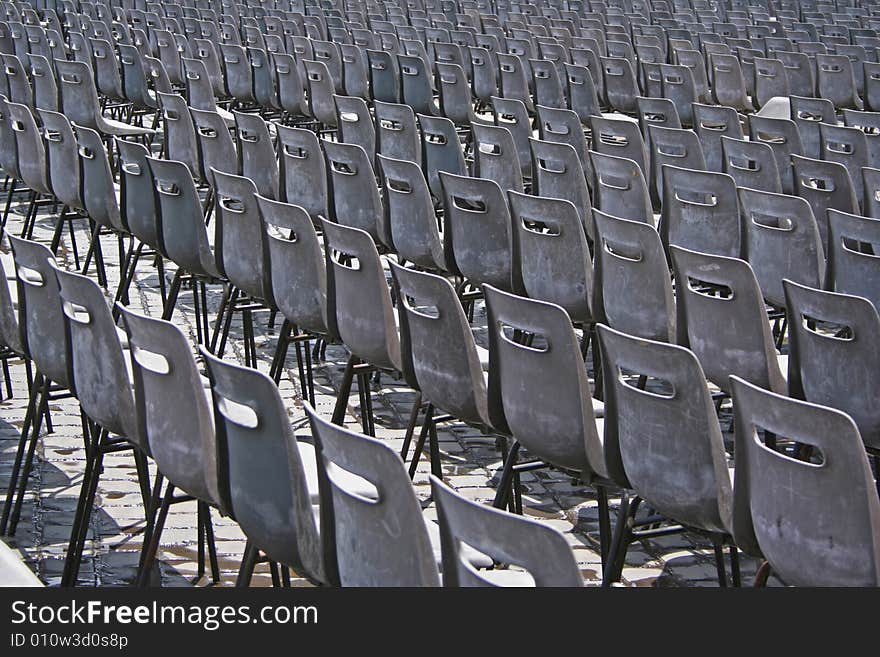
(620, 189)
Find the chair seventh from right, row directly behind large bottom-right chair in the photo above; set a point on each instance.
(356, 200)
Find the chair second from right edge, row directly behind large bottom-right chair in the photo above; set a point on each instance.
(721, 318)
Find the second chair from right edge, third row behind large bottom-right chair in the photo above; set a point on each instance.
(825, 185)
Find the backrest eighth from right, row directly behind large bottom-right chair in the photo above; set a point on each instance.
(303, 170)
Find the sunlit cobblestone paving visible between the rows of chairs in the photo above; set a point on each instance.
(470, 461)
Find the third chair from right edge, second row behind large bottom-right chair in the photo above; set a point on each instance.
(700, 211)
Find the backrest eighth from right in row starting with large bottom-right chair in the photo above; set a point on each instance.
(182, 233)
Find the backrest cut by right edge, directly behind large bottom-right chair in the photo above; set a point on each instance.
(834, 355)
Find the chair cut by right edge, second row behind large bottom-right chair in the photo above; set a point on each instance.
(853, 264)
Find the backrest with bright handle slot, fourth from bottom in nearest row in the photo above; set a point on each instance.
(174, 414)
